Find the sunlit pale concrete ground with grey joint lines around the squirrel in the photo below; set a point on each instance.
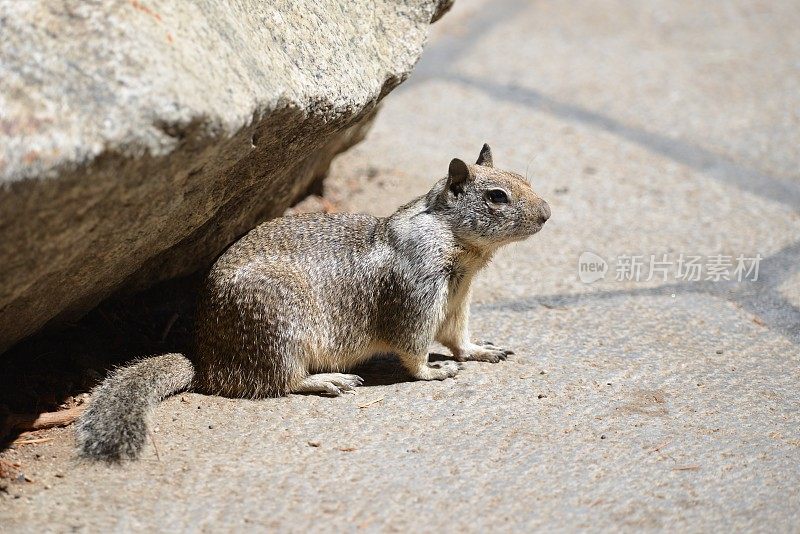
(650, 128)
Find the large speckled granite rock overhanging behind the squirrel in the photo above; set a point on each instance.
(138, 138)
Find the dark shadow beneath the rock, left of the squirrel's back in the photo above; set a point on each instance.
(49, 371)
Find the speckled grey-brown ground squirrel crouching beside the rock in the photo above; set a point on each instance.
(301, 299)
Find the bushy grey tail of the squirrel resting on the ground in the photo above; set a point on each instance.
(115, 424)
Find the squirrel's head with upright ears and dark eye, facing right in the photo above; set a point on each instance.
(487, 207)
